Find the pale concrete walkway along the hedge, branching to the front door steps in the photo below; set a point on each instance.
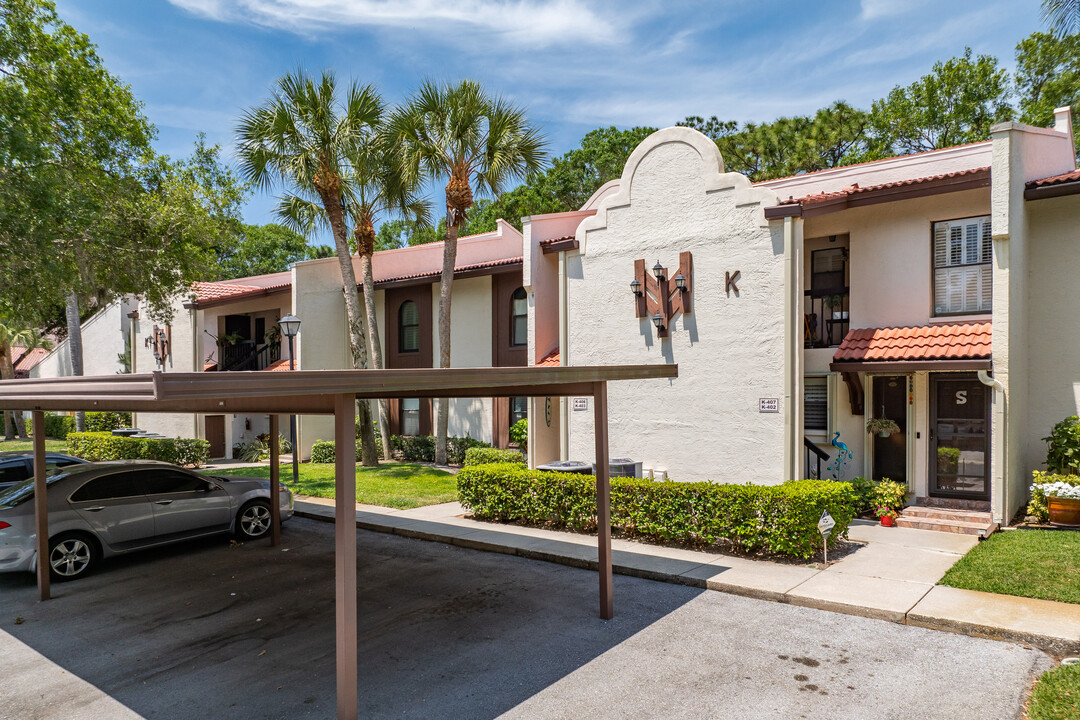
(892, 577)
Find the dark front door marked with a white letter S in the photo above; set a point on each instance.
(960, 439)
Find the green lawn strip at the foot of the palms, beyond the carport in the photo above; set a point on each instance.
(390, 485)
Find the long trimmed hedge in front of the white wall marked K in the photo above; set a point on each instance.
(750, 519)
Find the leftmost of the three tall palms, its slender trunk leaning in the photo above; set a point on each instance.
(303, 138)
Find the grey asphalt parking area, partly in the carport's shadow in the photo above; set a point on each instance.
(213, 630)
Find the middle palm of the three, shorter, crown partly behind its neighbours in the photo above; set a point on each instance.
(375, 185)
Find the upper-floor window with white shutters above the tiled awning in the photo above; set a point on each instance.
(963, 276)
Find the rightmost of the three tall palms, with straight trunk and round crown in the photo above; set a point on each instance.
(474, 140)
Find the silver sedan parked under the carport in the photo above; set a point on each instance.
(105, 509)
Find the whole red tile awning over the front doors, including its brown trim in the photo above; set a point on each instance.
(948, 346)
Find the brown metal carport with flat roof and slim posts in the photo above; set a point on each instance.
(325, 392)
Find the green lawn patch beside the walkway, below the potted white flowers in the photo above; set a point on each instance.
(1032, 564)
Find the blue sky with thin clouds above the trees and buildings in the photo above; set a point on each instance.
(574, 64)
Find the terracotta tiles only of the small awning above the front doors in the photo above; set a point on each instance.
(928, 343)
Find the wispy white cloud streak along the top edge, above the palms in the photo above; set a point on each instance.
(534, 23)
